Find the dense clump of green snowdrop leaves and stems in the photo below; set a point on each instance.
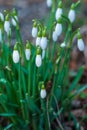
(21, 83)
